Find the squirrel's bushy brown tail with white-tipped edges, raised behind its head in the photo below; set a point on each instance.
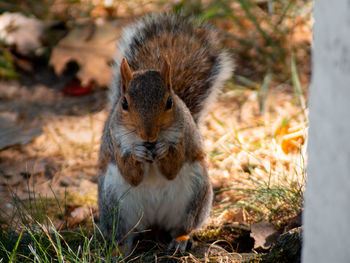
(199, 66)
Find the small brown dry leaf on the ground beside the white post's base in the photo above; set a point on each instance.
(264, 234)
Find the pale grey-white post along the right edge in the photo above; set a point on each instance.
(327, 198)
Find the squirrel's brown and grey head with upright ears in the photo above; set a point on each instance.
(146, 101)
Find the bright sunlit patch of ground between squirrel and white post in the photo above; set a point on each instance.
(254, 178)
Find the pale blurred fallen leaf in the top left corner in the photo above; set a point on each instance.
(21, 32)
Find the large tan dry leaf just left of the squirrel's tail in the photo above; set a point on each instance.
(92, 46)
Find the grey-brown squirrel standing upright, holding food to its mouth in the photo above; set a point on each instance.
(152, 166)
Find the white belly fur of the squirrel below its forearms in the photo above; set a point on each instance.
(156, 201)
